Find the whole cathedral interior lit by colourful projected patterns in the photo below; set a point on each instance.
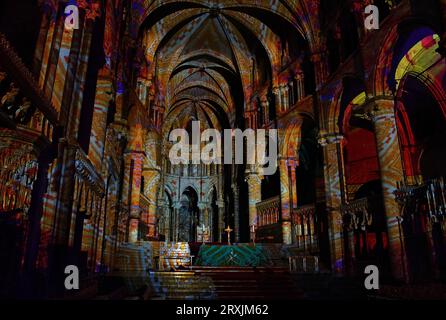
(86, 114)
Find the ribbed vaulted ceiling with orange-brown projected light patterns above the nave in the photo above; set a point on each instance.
(206, 59)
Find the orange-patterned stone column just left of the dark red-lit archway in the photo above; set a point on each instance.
(334, 191)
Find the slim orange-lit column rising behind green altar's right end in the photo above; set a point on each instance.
(285, 199)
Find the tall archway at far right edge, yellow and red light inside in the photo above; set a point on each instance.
(418, 79)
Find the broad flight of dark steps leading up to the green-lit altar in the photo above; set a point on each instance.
(224, 283)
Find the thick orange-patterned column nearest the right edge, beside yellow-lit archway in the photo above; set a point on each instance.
(382, 114)
